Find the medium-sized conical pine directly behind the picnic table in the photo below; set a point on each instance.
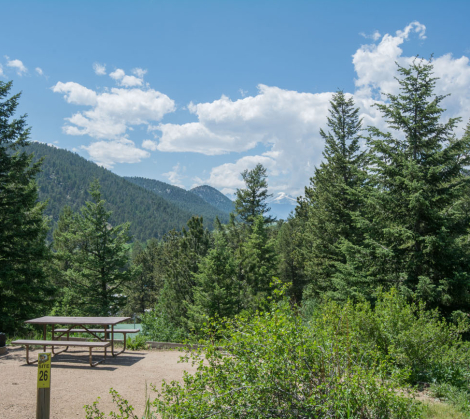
(94, 257)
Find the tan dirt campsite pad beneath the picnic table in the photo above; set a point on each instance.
(74, 383)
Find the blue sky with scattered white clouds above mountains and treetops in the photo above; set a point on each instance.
(195, 92)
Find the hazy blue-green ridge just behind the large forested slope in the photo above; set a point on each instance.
(183, 199)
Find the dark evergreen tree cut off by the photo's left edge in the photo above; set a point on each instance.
(24, 289)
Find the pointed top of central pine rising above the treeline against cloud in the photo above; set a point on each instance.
(251, 201)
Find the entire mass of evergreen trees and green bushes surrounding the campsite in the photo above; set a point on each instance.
(347, 309)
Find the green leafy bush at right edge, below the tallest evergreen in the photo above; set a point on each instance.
(412, 338)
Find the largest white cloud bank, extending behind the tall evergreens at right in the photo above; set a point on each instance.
(287, 122)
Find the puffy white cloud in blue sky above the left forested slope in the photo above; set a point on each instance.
(113, 113)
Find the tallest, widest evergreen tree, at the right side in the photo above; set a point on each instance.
(412, 224)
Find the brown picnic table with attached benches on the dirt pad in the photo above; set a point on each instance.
(77, 325)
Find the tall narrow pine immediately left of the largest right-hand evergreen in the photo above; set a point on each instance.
(331, 199)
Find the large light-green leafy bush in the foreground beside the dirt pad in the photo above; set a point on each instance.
(274, 366)
